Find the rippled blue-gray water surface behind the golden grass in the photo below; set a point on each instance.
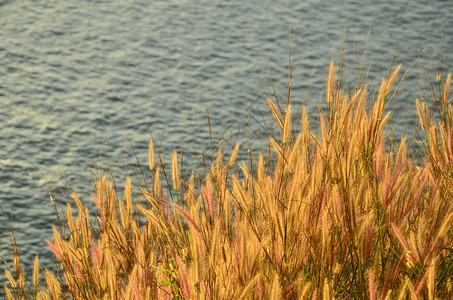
(76, 77)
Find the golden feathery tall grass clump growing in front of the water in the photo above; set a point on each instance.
(333, 213)
